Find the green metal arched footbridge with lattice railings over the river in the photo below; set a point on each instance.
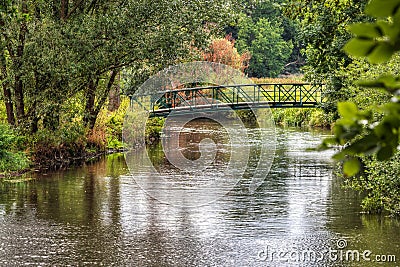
(239, 96)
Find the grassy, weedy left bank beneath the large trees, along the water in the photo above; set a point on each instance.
(70, 143)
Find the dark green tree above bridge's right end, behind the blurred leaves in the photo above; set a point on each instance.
(323, 33)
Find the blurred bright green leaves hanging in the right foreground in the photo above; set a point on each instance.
(356, 130)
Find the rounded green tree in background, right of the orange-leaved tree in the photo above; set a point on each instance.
(270, 38)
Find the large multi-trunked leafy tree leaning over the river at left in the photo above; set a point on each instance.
(54, 50)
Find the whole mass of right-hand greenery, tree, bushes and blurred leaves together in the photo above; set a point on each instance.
(369, 124)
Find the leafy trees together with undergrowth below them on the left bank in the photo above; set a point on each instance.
(62, 62)
